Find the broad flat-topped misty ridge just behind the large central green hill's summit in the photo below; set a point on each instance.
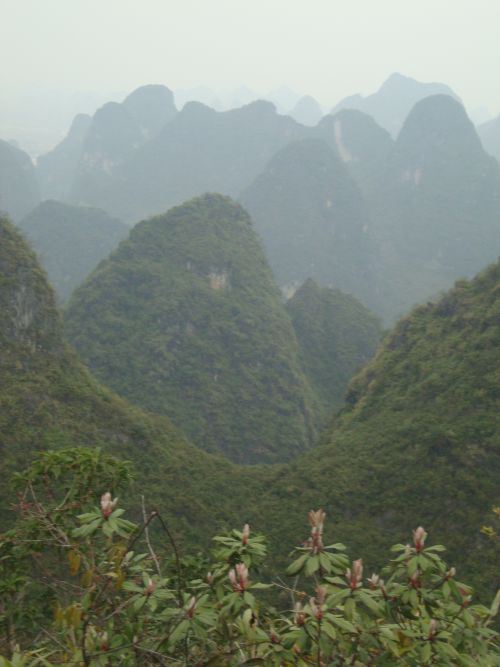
(199, 150)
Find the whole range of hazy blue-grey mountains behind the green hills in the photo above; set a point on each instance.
(372, 224)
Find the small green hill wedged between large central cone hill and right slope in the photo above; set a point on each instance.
(337, 335)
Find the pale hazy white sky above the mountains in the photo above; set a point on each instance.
(327, 48)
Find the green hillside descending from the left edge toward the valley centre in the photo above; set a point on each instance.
(48, 400)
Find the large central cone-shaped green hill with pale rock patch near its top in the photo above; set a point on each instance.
(185, 320)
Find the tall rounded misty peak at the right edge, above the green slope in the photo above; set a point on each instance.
(436, 207)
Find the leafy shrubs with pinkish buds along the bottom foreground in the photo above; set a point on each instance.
(117, 596)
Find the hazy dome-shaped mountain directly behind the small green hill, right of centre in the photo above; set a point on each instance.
(313, 220)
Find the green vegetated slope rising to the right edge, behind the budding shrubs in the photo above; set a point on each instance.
(419, 442)
